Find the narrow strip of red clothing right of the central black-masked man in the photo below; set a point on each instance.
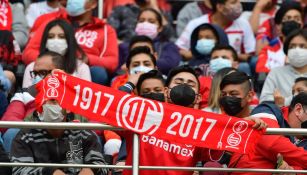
(204, 91)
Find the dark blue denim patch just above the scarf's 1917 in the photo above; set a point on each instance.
(99, 75)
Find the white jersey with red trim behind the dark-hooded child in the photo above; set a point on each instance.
(240, 34)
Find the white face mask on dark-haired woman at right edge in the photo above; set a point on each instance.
(297, 57)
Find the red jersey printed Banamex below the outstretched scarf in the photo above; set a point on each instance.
(159, 152)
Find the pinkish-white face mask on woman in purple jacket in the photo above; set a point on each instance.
(147, 29)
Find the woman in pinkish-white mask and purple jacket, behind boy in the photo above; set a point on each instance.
(150, 24)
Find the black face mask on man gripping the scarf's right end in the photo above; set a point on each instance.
(231, 105)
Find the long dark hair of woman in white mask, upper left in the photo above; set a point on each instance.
(73, 51)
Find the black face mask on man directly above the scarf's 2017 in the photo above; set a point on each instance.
(182, 95)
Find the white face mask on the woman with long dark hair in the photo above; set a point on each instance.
(57, 45)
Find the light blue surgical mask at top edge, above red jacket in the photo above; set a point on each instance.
(75, 7)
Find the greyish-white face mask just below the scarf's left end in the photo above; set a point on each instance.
(51, 113)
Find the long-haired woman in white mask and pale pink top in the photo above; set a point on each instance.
(59, 37)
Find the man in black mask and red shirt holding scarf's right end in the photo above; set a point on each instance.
(236, 94)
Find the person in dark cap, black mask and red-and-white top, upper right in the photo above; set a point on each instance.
(273, 33)
